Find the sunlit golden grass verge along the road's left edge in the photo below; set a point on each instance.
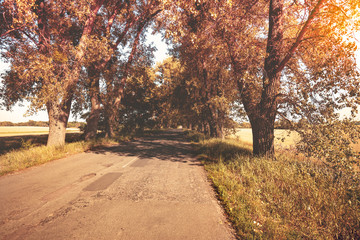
(30, 155)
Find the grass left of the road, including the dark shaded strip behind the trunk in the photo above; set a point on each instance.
(21, 152)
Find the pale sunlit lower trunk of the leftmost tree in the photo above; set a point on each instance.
(58, 118)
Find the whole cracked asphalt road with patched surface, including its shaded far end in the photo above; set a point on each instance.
(151, 188)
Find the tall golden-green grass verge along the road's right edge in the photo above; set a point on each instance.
(287, 198)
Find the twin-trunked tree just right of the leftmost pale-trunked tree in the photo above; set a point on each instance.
(124, 31)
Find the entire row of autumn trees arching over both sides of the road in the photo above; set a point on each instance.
(267, 60)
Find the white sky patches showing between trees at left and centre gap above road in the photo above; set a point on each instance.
(18, 112)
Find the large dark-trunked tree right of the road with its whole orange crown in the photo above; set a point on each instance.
(281, 53)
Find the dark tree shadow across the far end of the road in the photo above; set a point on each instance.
(167, 145)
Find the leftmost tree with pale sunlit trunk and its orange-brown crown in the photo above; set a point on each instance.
(46, 43)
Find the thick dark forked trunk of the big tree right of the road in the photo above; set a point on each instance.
(262, 114)
